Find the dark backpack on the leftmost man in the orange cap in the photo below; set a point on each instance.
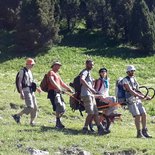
(17, 79)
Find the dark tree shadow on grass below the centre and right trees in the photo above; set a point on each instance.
(98, 45)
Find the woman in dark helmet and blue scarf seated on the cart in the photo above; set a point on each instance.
(102, 88)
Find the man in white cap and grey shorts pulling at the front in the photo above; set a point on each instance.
(133, 100)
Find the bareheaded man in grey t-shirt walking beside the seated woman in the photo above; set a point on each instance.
(87, 96)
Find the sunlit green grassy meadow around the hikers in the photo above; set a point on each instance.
(14, 139)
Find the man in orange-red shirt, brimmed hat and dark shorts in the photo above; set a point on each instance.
(55, 88)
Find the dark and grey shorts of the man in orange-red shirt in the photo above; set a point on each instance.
(57, 101)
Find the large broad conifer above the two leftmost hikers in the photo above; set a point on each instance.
(36, 26)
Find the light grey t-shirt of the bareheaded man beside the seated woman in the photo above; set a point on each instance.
(84, 90)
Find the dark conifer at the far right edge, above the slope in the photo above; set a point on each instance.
(142, 30)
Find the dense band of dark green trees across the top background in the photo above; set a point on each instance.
(37, 22)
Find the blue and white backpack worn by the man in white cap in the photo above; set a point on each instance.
(120, 91)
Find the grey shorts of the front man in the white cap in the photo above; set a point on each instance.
(136, 108)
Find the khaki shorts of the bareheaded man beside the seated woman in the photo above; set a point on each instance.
(90, 105)
